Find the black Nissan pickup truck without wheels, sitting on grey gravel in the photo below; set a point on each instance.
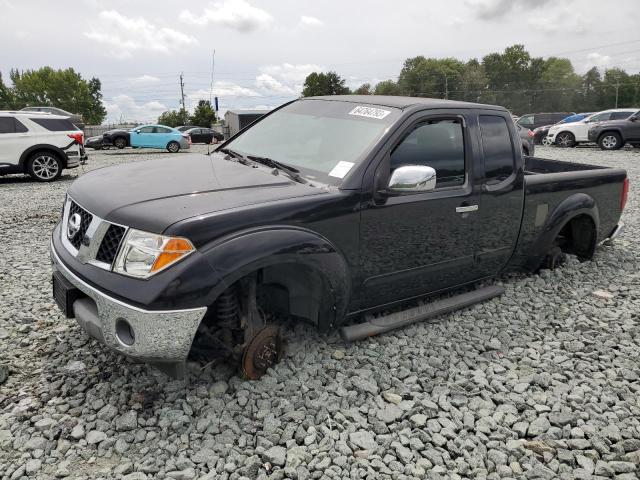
(325, 210)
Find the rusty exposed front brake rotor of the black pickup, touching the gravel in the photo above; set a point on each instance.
(263, 351)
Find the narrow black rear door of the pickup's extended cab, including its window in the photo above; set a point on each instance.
(502, 194)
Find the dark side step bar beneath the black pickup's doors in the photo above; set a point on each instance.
(390, 322)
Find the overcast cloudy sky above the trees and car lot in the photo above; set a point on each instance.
(265, 48)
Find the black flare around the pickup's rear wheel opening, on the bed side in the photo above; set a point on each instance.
(571, 207)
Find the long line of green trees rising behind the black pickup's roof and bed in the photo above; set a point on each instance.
(513, 79)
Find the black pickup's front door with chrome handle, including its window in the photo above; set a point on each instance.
(417, 243)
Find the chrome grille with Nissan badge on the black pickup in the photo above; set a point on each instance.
(89, 238)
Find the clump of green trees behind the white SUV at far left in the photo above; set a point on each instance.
(64, 89)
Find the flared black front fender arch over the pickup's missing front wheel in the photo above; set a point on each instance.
(235, 256)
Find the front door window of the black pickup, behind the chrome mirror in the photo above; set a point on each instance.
(438, 144)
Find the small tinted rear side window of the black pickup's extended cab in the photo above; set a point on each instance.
(497, 148)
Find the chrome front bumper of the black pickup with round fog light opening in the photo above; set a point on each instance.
(158, 336)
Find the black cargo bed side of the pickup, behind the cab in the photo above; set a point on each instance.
(549, 183)
